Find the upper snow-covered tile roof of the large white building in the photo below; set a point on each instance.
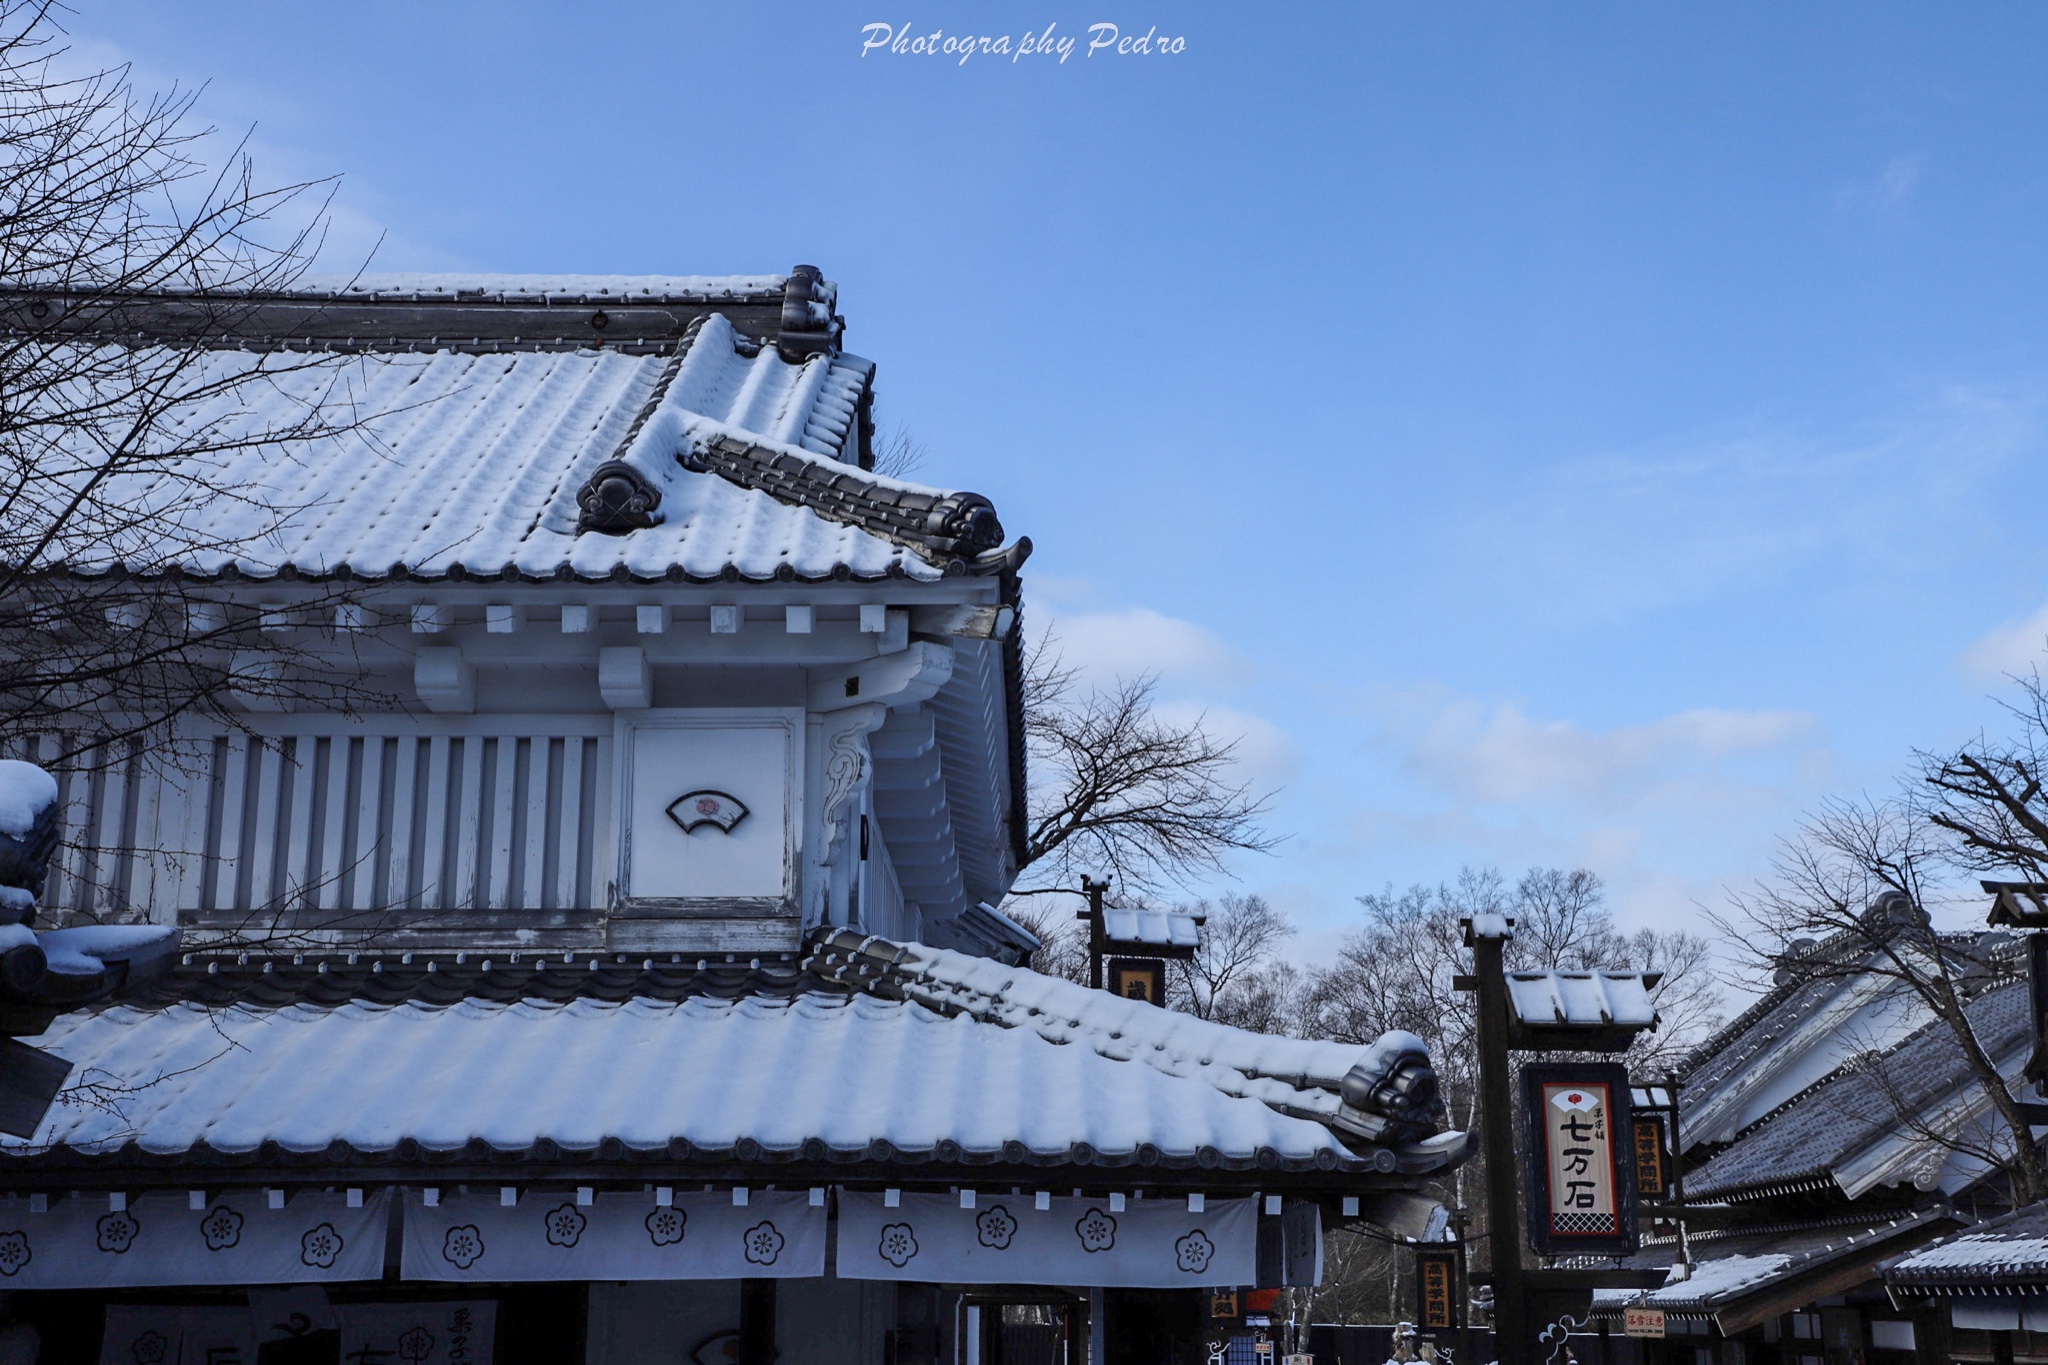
(472, 464)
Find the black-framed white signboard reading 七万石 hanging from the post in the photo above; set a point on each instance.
(1580, 1161)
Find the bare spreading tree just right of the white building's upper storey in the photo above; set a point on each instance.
(1125, 793)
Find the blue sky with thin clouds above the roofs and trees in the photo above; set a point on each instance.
(1549, 435)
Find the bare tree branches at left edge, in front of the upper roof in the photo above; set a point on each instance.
(118, 459)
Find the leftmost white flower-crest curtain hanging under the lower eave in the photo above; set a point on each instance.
(237, 1239)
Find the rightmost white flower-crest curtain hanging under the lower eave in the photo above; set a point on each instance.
(1011, 1241)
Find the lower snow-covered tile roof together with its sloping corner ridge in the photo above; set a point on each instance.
(280, 1059)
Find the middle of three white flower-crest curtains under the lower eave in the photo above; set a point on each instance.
(548, 1237)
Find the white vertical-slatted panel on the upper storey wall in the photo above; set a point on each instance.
(335, 818)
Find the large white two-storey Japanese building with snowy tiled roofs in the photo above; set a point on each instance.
(617, 977)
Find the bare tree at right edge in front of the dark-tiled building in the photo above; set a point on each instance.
(1848, 901)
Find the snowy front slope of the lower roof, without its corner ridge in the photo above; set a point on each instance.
(804, 1077)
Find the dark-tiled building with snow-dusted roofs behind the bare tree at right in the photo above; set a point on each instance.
(1830, 1131)
